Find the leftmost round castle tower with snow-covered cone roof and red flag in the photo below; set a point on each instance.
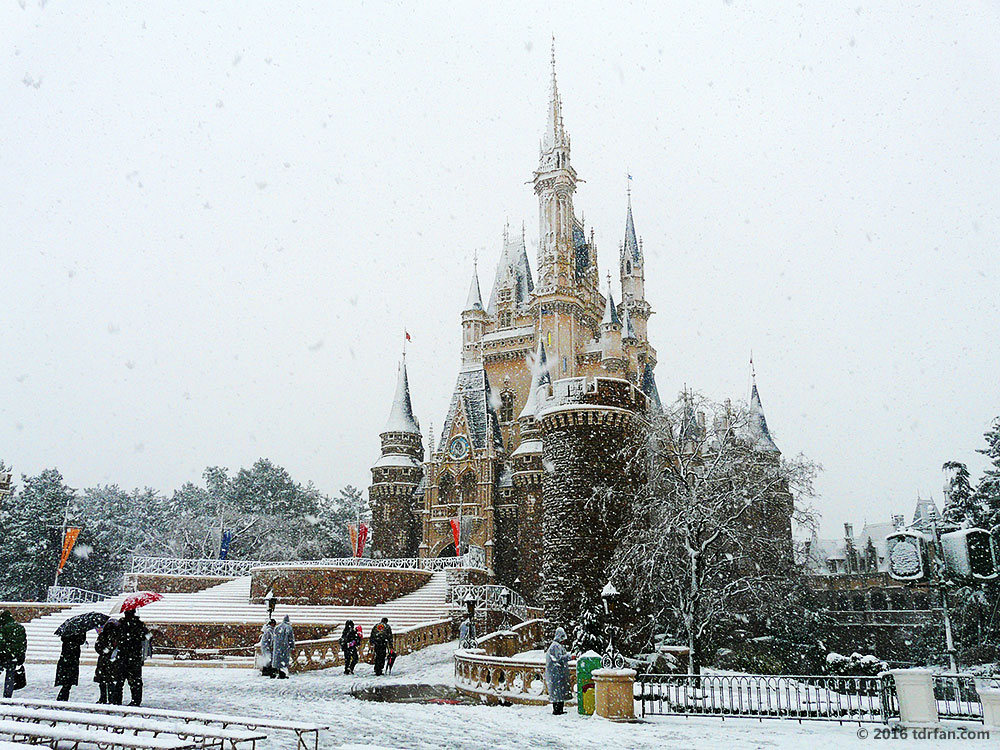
(396, 477)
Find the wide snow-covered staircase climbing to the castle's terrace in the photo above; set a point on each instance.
(230, 603)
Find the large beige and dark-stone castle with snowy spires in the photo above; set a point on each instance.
(554, 375)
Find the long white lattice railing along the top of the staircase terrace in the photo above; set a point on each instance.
(178, 566)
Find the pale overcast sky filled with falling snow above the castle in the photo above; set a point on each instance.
(218, 217)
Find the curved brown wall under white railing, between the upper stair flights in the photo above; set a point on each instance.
(330, 586)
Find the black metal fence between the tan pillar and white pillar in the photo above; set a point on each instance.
(814, 697)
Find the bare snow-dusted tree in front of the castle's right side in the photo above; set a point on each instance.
(711, 531)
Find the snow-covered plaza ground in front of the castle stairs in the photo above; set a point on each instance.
(324, 697)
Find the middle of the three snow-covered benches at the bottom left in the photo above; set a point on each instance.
(202, 734)
